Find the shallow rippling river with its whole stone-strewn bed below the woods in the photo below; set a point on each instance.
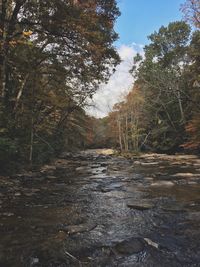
(94, 209)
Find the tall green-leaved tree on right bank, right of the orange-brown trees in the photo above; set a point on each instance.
(160, 75)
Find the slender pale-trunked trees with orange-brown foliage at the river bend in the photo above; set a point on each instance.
(127, 122)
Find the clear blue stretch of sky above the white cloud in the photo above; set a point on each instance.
(140, 18)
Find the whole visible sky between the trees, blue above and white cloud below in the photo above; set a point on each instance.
(139, 18)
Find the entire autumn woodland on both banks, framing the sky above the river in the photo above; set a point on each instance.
(54, 55)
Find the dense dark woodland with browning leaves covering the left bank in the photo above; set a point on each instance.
(53, 56)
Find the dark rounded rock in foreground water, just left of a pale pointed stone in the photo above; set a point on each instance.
(130, 246)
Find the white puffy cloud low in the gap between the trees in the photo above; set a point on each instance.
(119, 84)
